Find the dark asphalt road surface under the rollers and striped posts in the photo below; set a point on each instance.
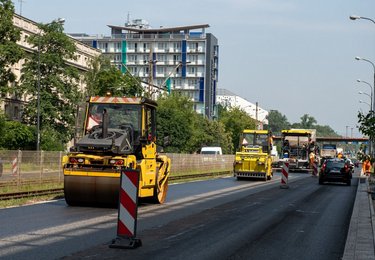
(215, 219)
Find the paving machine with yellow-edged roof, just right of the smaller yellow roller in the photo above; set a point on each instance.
(297, 146)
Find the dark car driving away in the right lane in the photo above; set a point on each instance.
(336, 170)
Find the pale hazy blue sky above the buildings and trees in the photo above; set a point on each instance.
(294, 56)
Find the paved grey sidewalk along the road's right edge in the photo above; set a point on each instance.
(360, 240)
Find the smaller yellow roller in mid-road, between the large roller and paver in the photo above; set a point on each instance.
(253, 160)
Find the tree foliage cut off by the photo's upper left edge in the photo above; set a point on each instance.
(10, 51)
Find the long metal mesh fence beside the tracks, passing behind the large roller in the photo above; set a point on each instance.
(25, 167)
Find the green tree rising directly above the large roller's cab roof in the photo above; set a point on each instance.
(103, 78)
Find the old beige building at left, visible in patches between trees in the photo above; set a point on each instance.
(12, 104)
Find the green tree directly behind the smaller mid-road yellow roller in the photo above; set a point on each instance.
(235, 121)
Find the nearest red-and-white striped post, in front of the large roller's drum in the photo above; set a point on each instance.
(127, 211)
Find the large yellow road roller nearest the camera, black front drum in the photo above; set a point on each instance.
(119, 134)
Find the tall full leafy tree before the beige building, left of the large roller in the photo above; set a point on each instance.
(59, 92)
